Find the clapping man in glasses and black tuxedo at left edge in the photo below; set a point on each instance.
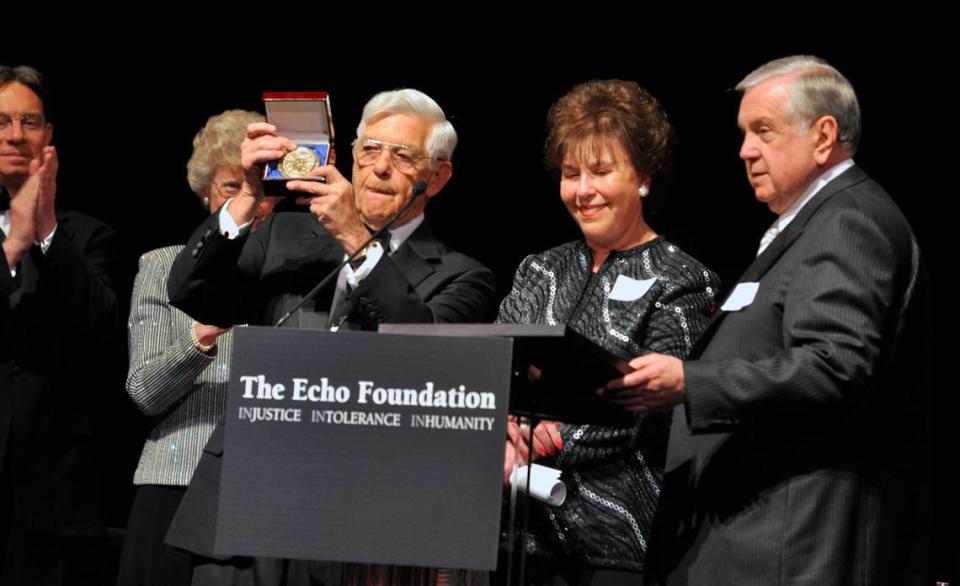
(57, 308)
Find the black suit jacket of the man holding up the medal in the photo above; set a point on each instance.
(257, 281)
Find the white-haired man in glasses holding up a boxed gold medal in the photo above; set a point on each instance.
(227, 275)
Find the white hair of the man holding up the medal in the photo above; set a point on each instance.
(442, 138)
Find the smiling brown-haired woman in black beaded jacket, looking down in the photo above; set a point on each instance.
(628, 290)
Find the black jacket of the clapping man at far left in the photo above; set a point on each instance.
(58, 311)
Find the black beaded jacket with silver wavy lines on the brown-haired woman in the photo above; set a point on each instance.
(652, 298)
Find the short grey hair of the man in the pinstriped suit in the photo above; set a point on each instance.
(817, 89)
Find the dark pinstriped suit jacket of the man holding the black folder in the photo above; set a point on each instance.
(800, 455)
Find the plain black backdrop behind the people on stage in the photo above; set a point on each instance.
(127, 104)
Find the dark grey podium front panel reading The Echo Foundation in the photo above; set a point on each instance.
(361, 447)
